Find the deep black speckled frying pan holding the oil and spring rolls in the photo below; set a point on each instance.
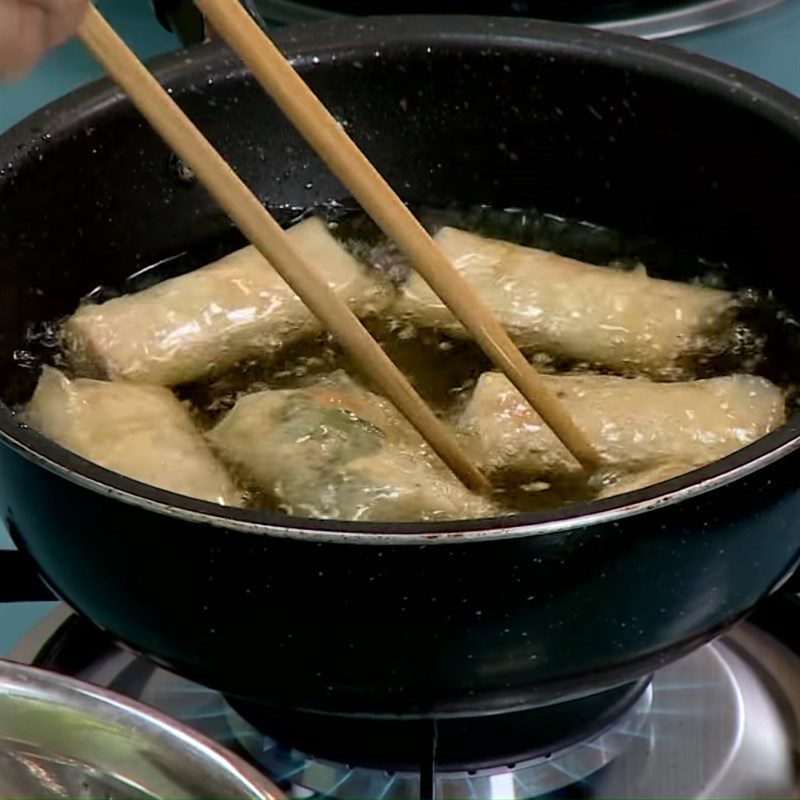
(409, 619)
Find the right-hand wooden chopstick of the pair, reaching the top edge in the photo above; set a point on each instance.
(302, 107)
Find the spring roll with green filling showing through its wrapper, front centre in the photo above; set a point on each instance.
(336, 451)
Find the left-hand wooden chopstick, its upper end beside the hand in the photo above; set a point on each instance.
(268, 237)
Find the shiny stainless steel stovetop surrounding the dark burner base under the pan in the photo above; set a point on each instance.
(723, 722)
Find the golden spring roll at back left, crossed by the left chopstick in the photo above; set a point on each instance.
(201, 323)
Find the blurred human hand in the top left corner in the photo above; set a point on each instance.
(29, 28)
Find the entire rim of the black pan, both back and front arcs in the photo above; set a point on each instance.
(301, 43)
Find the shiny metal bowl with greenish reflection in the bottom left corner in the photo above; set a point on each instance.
(60, 737)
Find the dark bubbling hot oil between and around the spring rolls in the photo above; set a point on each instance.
(761, 336)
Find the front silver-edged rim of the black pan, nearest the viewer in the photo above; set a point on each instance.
(72, 467)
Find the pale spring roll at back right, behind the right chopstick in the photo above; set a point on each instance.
(623, 321)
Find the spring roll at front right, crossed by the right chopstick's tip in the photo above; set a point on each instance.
(634, 424)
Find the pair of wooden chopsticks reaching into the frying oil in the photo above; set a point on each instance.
(346, 161)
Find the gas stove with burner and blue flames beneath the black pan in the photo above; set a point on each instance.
(723, 722)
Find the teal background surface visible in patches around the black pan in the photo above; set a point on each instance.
(767, 45)
